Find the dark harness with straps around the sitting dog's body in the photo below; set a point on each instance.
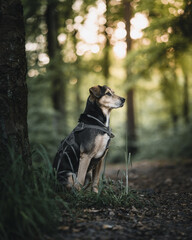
(67, 157)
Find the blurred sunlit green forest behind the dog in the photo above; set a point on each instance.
(141, 49)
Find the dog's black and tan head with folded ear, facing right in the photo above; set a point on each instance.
(105, 97)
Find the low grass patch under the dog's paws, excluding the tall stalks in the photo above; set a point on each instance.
(111, 194)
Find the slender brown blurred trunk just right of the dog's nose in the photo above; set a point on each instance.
(131, 136)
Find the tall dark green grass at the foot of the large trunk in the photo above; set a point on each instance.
(29, 205)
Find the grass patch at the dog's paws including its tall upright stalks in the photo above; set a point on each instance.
(112, 194)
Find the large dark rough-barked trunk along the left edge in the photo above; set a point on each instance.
(13, 87)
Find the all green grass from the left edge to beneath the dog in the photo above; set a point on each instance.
(32, 205)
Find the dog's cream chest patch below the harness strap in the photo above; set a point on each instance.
(101, 142)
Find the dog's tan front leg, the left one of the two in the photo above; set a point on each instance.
(82, 170)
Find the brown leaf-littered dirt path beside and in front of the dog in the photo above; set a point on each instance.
(166, 185)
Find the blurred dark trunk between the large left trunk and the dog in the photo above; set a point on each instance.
(58, 94)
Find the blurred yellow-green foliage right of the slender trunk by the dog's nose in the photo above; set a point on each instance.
(161, 58)
